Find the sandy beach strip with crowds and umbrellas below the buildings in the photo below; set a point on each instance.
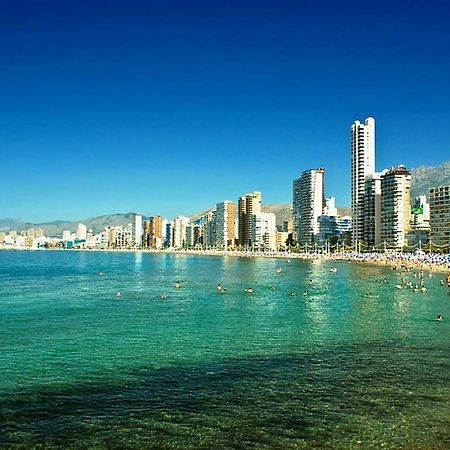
(430, 262)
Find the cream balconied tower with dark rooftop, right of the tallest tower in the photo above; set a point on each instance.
(395, 206)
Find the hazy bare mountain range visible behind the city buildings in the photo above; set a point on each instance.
(422, 179)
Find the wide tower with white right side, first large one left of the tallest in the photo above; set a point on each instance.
(308, 204)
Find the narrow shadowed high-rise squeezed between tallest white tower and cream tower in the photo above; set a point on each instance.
(372, 210)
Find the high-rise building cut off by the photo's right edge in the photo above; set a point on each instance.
(440, 217)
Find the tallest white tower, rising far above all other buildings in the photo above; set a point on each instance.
(363, 166)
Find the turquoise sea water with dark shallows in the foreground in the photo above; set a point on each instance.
(355, 363)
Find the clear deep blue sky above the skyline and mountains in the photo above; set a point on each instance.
(169, 107)
